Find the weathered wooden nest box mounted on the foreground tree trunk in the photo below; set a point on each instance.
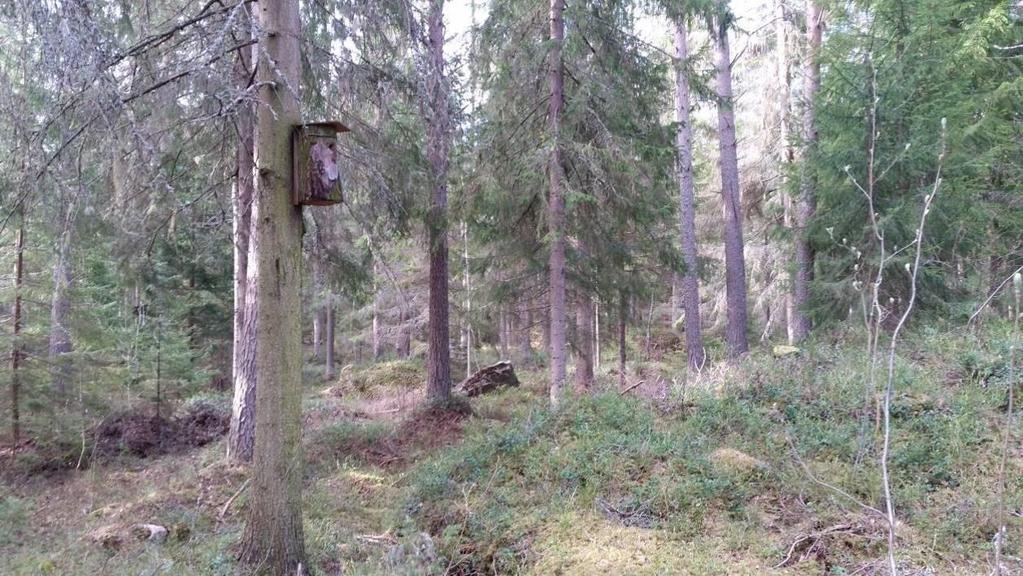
(316, 173)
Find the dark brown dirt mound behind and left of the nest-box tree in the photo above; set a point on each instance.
(143, 433)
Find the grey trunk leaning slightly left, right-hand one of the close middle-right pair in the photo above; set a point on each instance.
(735, 259)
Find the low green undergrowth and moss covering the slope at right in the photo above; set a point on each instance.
(771, 451)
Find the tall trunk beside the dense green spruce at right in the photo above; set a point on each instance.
(807, 204)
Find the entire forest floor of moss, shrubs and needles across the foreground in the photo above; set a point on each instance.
(767, 467)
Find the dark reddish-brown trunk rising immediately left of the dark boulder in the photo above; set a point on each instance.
(439, 360)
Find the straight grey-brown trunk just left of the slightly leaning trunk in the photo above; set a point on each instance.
(689, 286)
